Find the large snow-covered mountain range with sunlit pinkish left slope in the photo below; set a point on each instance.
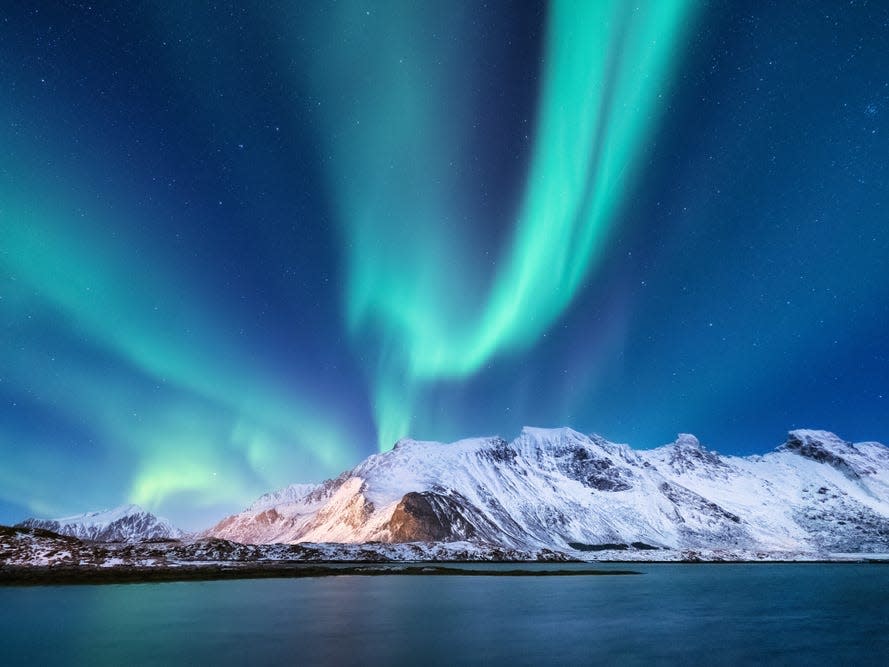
(560, 489)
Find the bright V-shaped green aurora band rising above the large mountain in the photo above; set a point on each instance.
(607, 67)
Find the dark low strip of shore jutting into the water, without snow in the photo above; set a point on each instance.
(39, 576)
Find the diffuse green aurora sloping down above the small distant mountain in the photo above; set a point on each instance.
(198, 422)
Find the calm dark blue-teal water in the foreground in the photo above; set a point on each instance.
(802, 614)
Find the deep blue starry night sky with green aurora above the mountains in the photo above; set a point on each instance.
(245, 246)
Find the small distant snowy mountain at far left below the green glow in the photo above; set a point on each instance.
(127, 523)
